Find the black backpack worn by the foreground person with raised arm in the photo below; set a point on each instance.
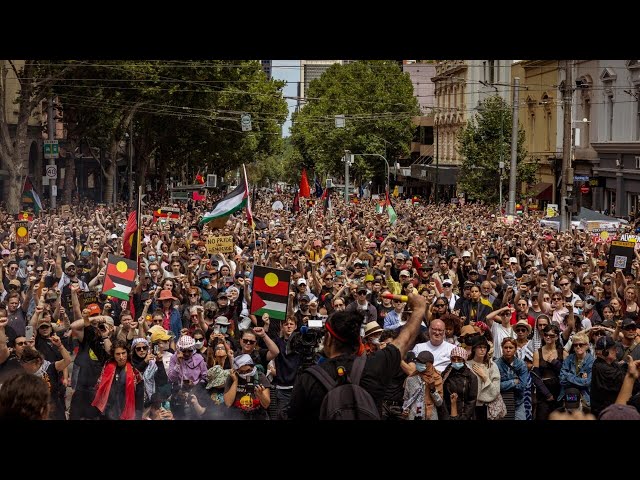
(346, 401)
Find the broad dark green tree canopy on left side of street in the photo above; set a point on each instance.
(189, 110)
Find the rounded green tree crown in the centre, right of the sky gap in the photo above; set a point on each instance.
(377, 100)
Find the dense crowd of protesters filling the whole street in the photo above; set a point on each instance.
(459, 312)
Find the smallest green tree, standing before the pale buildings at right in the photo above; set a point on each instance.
(483, 143)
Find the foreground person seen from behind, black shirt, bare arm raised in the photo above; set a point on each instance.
(342, 343)
